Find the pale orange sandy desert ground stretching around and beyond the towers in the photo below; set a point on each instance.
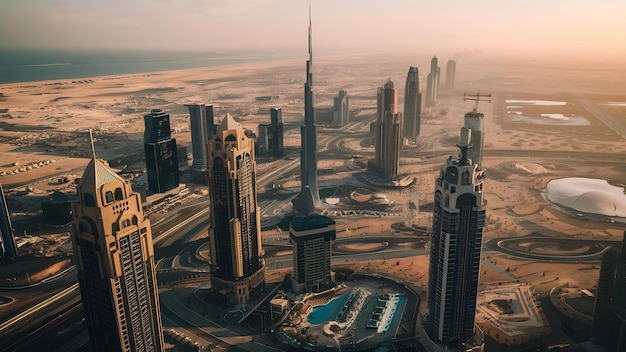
(48, 121)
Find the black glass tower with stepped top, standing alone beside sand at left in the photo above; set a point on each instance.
(161, 152)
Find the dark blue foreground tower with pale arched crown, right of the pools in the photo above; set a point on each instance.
(458, 220)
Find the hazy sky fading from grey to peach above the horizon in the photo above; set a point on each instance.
(443, 26)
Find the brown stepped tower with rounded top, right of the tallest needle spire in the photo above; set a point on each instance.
(386, 129)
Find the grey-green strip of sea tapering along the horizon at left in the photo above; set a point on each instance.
(38, 65)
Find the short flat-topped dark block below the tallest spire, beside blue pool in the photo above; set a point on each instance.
(311, 238)
